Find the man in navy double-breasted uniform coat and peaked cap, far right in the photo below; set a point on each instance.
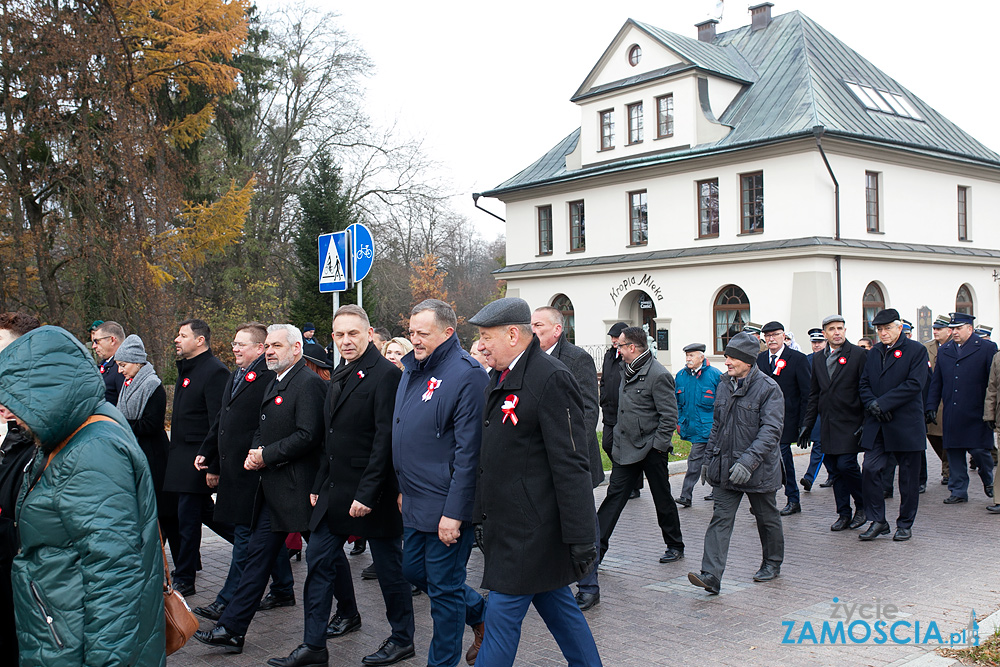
(960, 379)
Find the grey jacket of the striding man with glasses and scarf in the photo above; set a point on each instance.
(647, 414)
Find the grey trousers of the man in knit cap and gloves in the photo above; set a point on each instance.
(720, 529)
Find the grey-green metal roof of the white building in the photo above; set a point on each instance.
(796, 71)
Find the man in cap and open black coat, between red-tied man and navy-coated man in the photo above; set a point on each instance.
(834, 396)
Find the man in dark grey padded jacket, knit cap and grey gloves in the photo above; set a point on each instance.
(743, 457)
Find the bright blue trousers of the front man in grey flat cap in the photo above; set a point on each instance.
(558, 609)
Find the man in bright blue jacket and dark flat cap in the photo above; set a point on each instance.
(696, 384)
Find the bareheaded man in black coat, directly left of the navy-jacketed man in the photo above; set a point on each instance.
(355, 494)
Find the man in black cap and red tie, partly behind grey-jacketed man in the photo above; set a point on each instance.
(790, 369)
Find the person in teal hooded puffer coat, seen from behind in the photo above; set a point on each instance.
(88, 580)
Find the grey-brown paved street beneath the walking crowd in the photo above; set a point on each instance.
(650, 615)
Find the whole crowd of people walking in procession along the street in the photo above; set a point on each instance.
(419, 450)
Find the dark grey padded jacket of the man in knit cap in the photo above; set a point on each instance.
(746, 427)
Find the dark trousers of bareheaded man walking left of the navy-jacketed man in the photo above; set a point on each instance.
(327, 564)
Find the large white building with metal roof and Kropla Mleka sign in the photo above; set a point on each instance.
(765, 173)
